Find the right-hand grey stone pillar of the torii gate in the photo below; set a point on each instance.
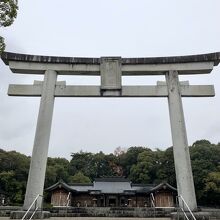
(184, 177)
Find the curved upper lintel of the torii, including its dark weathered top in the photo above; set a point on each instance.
(193, 64)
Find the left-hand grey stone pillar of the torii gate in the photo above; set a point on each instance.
(36, 177)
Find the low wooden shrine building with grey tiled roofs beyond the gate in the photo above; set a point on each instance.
(112, 192)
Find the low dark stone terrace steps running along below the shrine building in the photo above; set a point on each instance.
(105, 213)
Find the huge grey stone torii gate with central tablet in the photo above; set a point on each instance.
(111, 70)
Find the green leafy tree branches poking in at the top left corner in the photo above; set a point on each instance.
(8, 12)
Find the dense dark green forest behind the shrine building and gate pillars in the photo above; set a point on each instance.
(139, 164)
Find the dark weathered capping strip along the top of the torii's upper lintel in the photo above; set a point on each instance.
(209, 57)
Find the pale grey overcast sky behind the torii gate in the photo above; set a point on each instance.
(127, 28)
